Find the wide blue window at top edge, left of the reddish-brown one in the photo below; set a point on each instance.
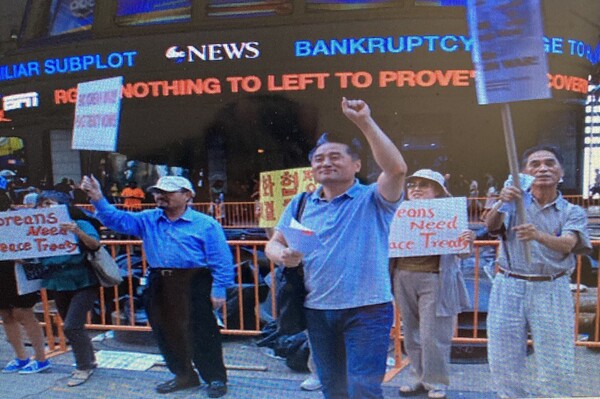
(148, 12)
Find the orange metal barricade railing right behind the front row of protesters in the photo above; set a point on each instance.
(112, 306)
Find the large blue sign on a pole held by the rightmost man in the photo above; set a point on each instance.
(508, 50)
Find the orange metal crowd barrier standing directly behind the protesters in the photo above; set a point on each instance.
(251, 296)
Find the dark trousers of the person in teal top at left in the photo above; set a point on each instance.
(73, 307)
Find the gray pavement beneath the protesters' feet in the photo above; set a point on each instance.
(252, 374)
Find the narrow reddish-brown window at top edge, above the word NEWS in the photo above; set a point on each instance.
(244, 9)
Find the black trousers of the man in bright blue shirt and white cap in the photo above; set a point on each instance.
(181, 315)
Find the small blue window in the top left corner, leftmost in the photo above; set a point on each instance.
(70, 16)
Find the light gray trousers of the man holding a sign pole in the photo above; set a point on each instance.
(544, 308)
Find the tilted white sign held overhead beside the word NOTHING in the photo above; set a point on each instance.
(97, 110)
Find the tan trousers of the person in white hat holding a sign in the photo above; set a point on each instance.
(427, 337)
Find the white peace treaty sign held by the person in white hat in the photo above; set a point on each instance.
(429, 227)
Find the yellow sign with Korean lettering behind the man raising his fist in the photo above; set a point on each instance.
(277, 189)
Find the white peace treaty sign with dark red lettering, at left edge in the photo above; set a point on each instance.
(35, 233)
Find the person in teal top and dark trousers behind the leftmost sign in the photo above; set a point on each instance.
(73, 284)
